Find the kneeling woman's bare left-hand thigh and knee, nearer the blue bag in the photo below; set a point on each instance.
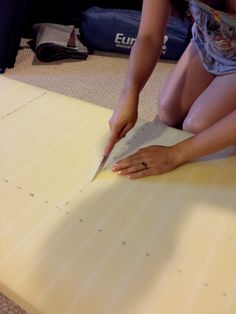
(183, 86)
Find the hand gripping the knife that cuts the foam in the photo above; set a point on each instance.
(122, 120)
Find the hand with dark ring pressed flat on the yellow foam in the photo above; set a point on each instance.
(149, 161)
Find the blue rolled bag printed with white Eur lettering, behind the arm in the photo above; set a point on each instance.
(115, 30)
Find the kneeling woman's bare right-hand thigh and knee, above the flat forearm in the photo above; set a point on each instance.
(216, 102)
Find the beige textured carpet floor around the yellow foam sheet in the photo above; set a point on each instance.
(98, 80)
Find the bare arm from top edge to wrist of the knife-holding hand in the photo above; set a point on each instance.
(147, 47)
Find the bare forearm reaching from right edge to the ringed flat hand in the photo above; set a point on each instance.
(217, 137)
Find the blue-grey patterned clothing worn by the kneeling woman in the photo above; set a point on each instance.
(214, 34)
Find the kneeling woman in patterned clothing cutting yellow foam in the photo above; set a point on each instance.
(200, 94)
